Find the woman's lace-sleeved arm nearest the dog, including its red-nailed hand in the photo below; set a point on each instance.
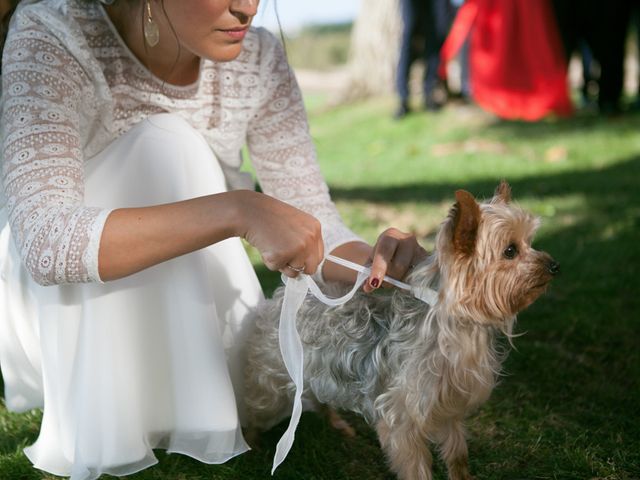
(285, 160)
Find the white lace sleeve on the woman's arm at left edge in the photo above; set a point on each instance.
(42, 161)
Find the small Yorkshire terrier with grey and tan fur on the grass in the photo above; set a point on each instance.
(413, 371)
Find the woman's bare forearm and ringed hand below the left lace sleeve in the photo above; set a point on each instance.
(136, 238)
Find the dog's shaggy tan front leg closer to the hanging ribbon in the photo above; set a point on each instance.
(406, 448)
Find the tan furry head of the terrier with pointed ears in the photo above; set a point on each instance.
(490, 271)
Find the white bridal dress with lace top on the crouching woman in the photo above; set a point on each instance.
(155, 359)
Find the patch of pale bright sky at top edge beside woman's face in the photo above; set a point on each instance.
(297, 13)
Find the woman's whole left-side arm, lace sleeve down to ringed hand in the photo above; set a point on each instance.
(61, 240)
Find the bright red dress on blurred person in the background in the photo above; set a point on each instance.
(518, 70)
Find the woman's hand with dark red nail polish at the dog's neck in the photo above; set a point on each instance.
(394, 254)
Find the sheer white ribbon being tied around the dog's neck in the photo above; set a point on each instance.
(295, 291)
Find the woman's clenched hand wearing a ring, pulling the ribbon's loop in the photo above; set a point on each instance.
(288, 239)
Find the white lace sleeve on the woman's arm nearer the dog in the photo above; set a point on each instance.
(281, 149)
